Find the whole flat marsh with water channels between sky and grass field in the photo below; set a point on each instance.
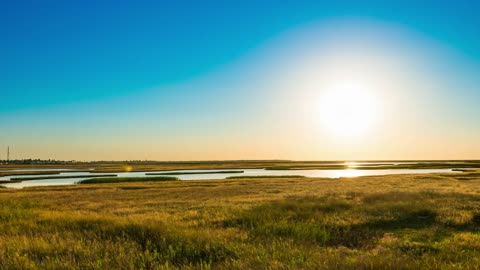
(218, 170)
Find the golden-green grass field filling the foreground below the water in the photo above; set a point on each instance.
(377, 222)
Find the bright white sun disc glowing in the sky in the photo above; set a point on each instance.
(348, 109)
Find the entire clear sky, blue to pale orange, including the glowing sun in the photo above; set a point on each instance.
(202, 80)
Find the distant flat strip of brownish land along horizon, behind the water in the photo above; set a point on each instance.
(112, 167)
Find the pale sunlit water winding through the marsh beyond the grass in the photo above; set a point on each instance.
(247, 172)
